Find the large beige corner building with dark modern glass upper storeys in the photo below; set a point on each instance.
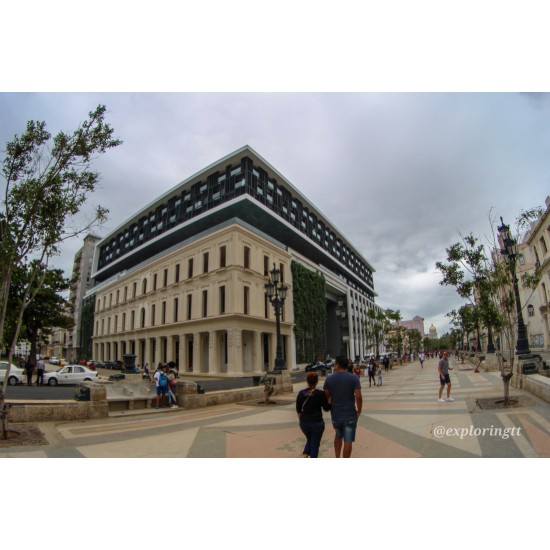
(183, 279)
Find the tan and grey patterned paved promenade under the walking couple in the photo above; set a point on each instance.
(401, 419)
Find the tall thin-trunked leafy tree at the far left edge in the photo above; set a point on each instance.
(46, 184)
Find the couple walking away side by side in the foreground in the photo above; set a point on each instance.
(341, 395)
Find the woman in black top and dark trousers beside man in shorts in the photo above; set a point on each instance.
(308, 406)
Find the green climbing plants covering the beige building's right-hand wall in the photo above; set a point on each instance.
(310, 312)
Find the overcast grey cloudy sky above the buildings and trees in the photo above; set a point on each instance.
(401, 175)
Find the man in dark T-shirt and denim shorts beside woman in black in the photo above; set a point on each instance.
(343, 392)
